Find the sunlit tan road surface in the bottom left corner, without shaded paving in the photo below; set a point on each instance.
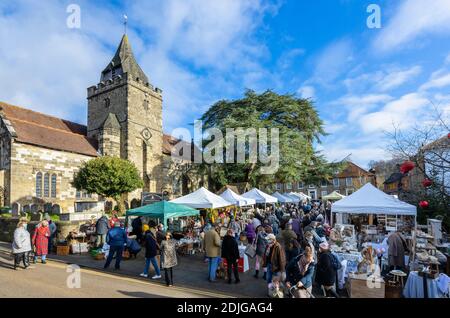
(51, 280)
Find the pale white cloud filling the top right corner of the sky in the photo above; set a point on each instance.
(413, 19)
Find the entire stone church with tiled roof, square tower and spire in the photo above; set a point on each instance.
(39, 154)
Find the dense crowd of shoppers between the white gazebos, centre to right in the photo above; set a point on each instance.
(290, 248)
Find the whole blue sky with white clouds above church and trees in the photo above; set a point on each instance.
(363, 81)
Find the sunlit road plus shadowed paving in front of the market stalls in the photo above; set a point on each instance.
(190, 279)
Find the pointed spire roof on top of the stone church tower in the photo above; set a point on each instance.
(124, 62)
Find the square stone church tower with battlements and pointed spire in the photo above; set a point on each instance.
(125, 116)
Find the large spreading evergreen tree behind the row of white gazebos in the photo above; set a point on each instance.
(300, 127)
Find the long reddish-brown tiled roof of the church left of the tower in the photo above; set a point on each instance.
(47, 131)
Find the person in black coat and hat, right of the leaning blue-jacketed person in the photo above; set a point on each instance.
(326, 273)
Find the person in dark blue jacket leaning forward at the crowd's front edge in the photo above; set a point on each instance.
(300, 272)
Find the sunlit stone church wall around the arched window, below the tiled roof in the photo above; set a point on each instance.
(28, 160)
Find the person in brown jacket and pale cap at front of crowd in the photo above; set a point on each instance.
(275, 259)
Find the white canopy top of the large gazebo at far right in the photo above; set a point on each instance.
(370, 200)
